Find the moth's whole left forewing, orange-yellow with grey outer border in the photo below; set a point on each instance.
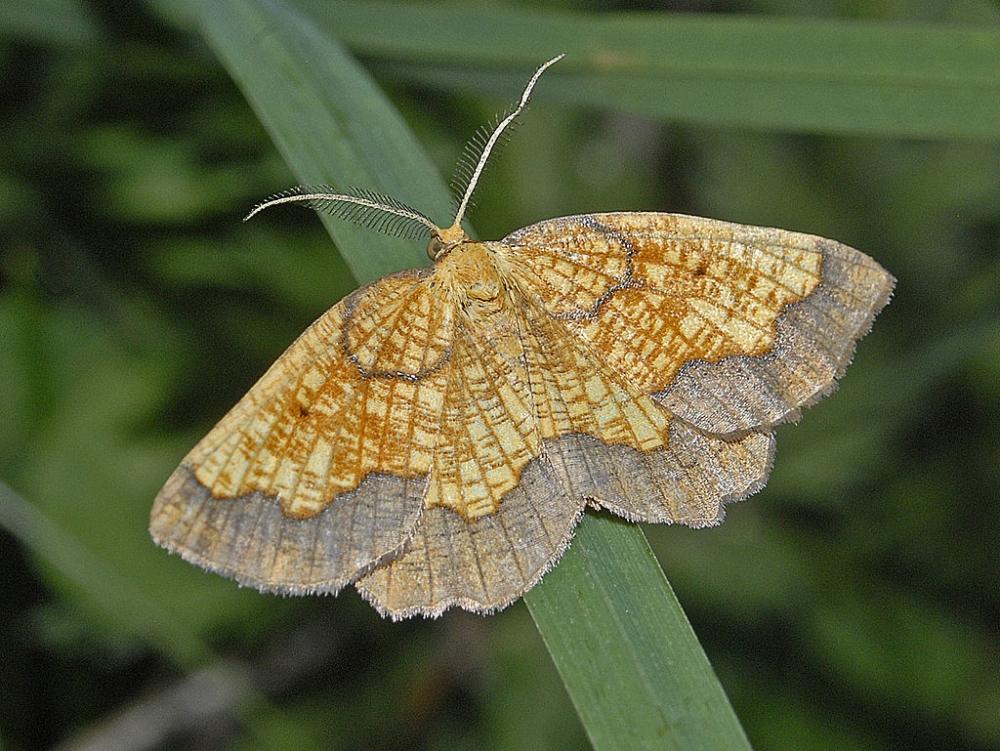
(319, 472)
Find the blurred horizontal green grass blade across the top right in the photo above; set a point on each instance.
(808, 74)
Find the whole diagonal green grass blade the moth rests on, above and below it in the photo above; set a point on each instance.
(320, 109)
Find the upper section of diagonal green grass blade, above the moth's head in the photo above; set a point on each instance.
(329, 123)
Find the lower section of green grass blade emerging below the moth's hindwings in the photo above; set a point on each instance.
(618, 634)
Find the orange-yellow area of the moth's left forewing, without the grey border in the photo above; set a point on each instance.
(320, 421)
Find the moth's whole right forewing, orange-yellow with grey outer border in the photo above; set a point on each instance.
(731, 327)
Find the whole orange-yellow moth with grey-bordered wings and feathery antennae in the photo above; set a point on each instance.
(434, 437)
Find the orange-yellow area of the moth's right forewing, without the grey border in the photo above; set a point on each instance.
(675, 288)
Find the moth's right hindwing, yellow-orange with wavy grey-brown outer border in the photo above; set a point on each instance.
(639, 462)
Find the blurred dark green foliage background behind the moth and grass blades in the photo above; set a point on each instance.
(853, 604)
